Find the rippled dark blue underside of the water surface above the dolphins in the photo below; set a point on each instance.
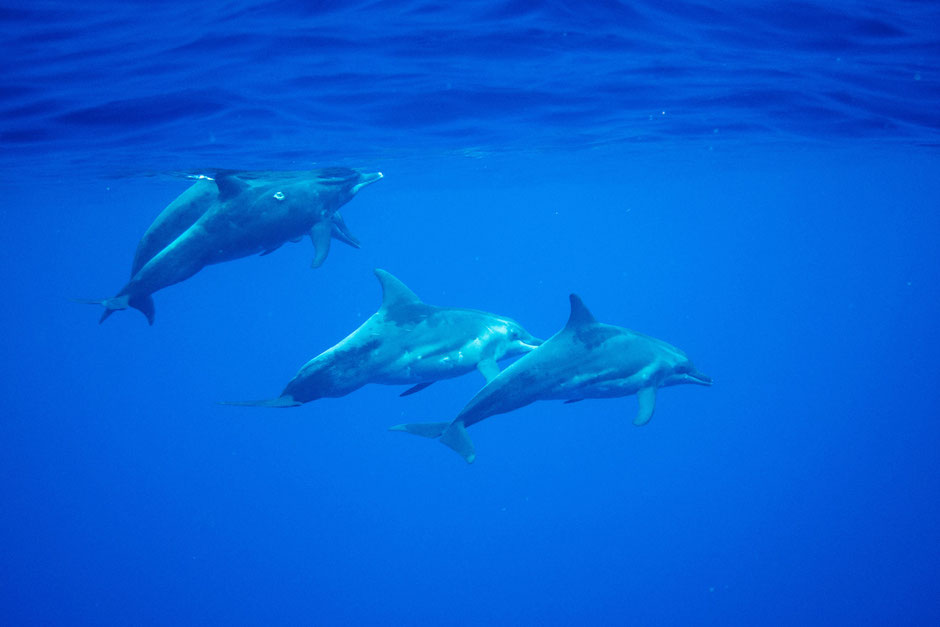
(254, 81)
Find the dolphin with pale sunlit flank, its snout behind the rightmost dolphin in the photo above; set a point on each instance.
(406, 342)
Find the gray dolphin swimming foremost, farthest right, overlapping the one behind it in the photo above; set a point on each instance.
(586, 359)
